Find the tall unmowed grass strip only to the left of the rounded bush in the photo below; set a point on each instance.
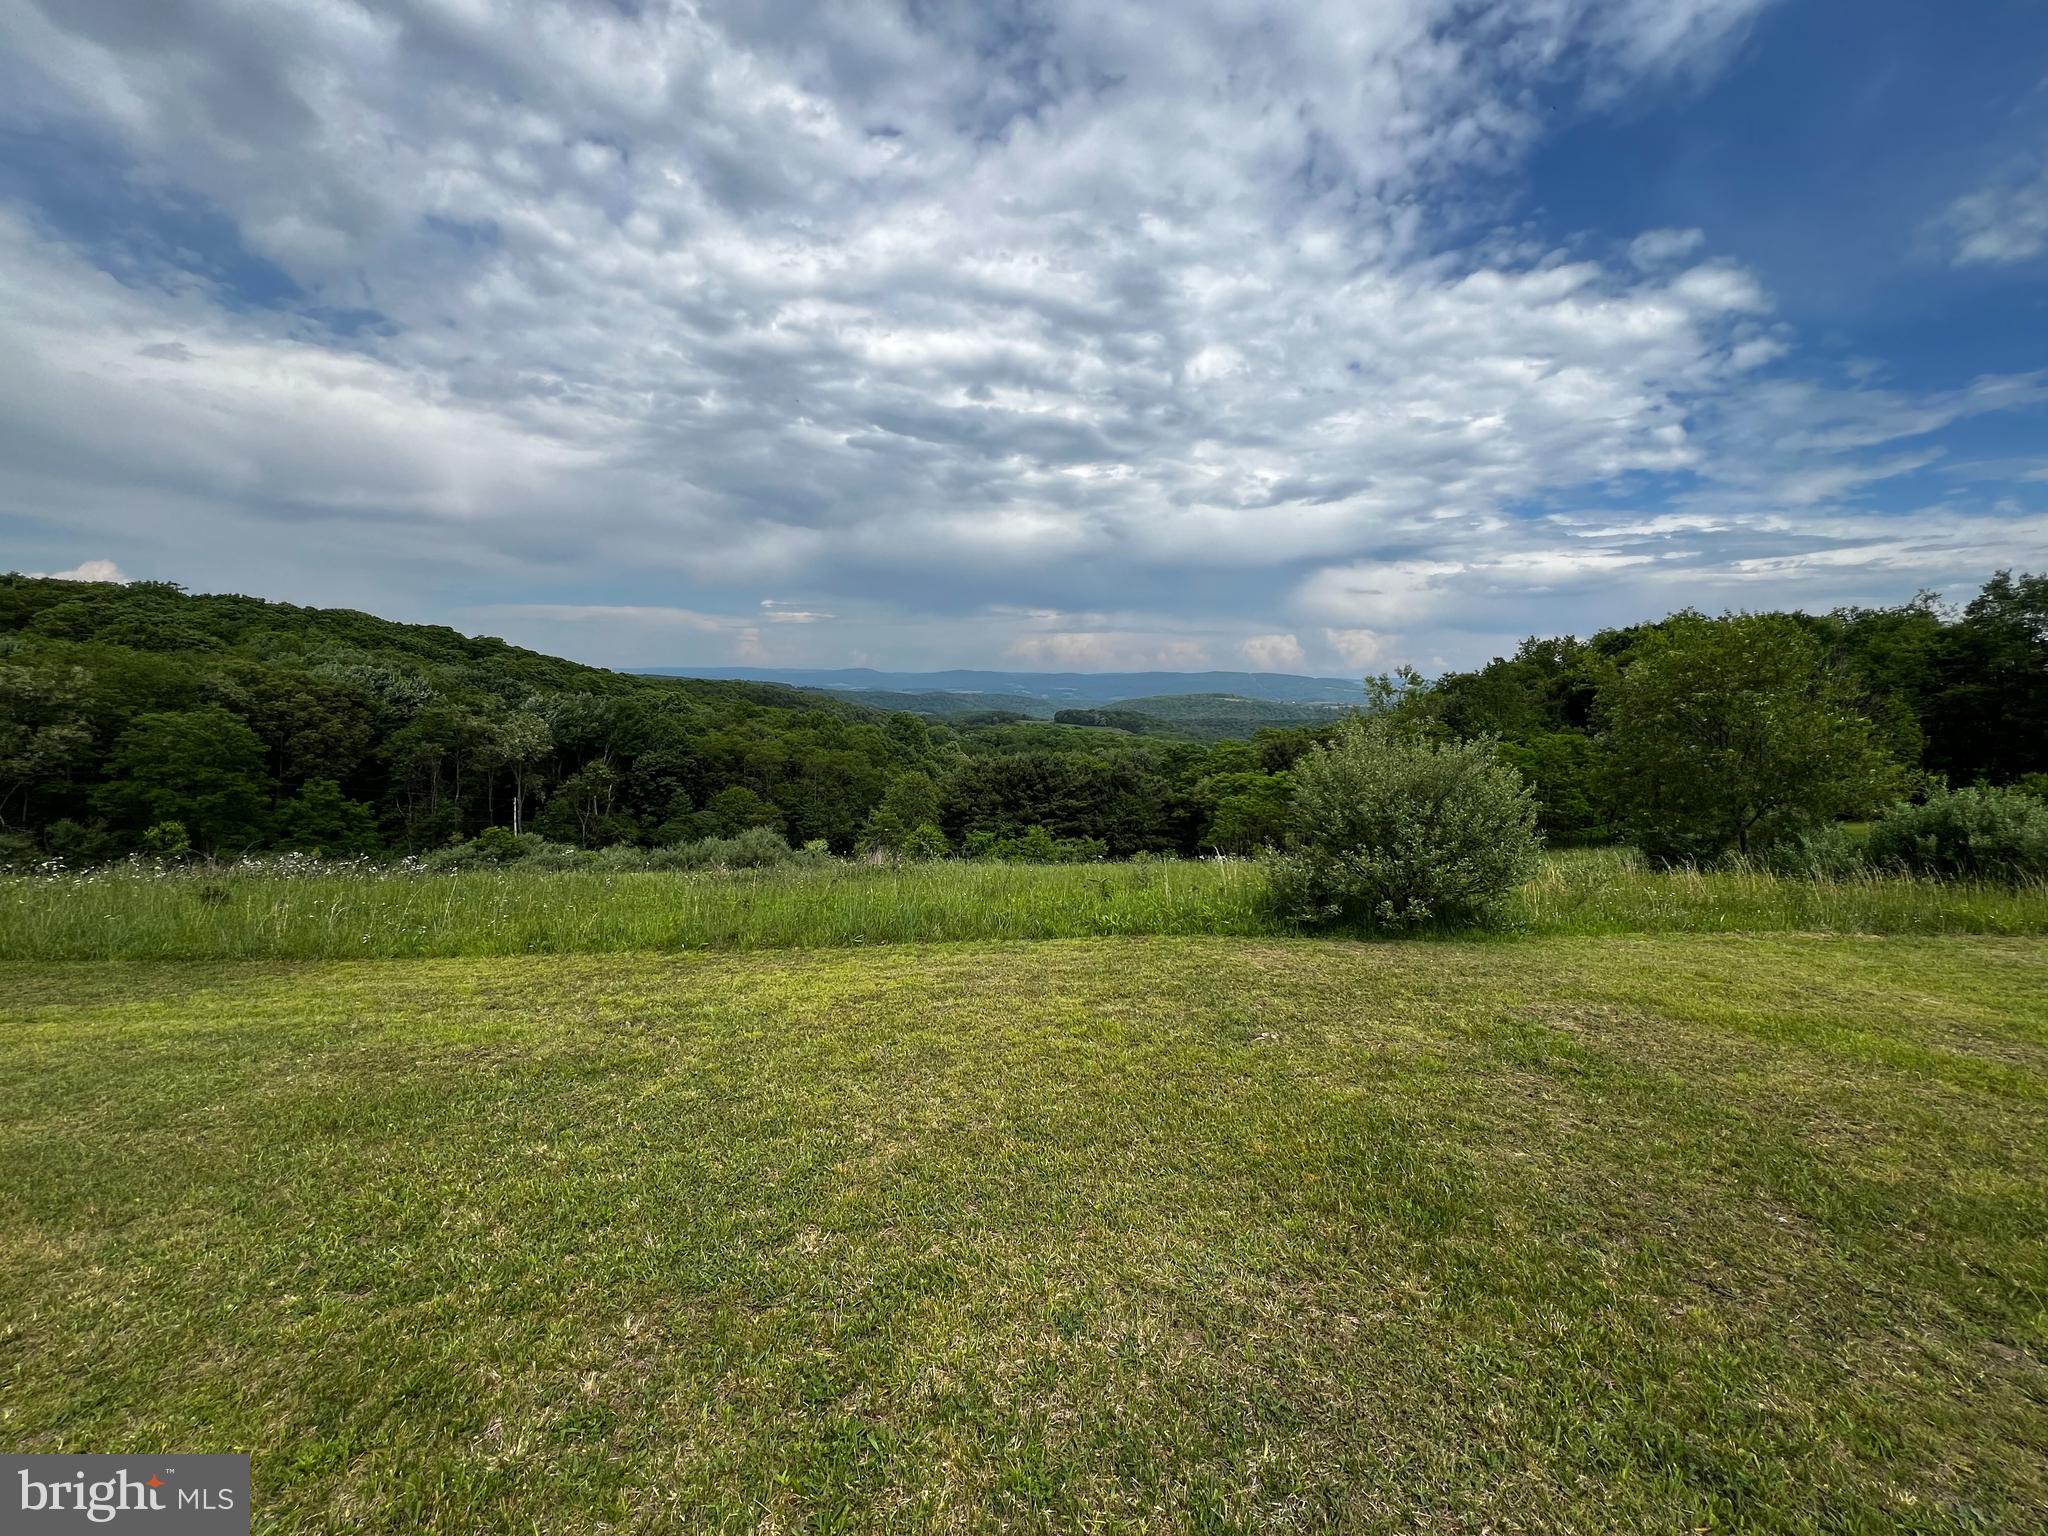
(275, 914)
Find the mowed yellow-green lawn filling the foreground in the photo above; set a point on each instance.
(1150, 1234)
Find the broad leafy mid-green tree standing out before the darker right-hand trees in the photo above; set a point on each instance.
(1734, 734)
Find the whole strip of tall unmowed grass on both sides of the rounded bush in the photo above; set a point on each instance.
(124, 914)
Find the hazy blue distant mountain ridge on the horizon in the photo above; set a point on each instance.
(1058, 689)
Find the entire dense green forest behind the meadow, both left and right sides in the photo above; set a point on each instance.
(134, 710)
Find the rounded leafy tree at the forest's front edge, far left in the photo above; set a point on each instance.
(200, 767)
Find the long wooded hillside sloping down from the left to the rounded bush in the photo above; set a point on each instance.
(134, 716)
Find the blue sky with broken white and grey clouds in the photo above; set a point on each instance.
(1054, 335)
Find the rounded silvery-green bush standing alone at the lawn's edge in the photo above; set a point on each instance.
(1398, 830)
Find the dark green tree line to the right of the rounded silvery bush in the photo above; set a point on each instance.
(1705, 736)
